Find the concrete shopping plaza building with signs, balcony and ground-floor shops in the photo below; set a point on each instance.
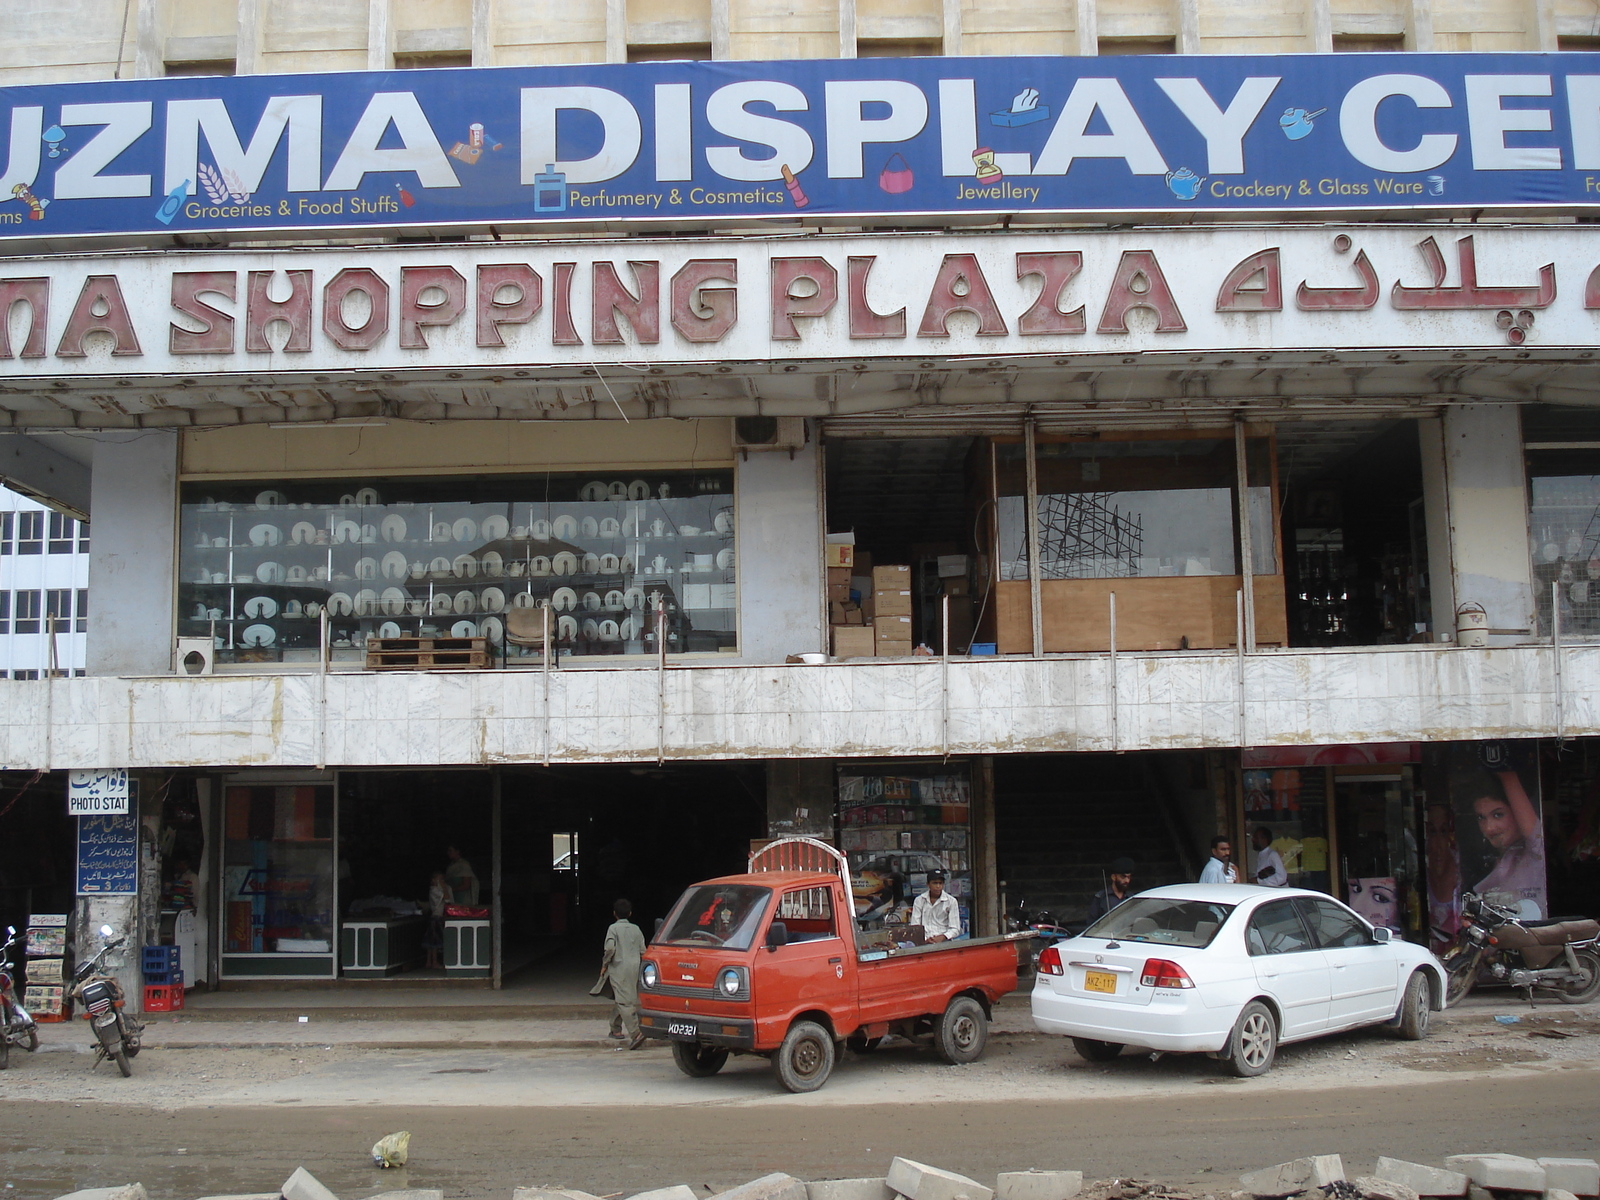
(1001, 540)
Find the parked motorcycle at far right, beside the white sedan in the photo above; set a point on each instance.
(1559, 956)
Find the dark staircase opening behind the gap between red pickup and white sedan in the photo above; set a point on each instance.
(1062, 820)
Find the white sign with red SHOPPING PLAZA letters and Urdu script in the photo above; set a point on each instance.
(487, 308)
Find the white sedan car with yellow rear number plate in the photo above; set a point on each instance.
(1231, 970)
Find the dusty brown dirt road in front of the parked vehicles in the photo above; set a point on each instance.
(202, 1121)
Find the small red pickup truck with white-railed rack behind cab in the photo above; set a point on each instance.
(769, 964)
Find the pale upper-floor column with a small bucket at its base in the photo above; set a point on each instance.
(1489, 518)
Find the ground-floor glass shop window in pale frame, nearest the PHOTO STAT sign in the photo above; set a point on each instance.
(279, 871)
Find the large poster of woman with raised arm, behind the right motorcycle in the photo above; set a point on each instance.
(1498, 831)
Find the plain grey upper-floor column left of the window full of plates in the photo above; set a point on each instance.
(134, 558)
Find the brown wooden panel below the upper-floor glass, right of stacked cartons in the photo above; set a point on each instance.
(1154, 614)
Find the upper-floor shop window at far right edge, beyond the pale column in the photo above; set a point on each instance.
(1564, 534)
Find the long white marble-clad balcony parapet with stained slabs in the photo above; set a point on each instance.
(839, 710)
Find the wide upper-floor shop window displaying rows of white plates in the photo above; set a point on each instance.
(462, 558)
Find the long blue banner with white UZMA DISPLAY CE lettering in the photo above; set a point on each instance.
(876, 140)
